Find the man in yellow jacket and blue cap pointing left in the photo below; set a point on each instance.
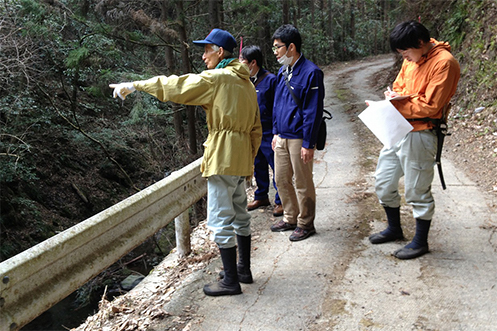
(229, 99)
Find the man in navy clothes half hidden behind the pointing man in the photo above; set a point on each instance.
(265, 84)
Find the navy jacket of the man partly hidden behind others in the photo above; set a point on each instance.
(265, 98)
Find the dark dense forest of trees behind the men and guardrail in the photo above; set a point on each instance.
(68, 150)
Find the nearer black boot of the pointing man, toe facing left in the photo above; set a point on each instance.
(229, 285)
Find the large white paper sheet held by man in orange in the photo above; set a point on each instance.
(385, 121)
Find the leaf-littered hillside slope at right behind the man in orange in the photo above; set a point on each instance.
(473, 144)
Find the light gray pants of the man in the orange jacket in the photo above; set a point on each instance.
(414, 158)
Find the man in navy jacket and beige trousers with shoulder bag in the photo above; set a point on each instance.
(297, 115)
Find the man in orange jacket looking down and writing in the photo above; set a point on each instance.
(429, 76)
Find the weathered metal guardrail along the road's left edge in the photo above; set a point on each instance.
(38, 278)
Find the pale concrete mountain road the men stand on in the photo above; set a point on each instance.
(337, 280)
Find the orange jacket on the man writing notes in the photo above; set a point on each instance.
(432, 80)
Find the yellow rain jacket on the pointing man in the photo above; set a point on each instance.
(230, 103)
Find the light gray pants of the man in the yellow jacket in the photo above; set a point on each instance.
(227, 209)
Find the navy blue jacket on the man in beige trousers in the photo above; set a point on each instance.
(289, 120)
